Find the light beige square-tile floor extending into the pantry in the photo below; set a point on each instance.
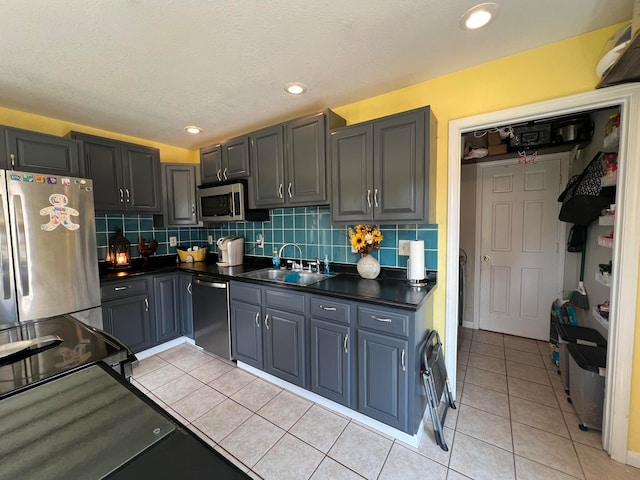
(512, 421)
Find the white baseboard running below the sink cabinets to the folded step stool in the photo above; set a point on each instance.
(412, 440)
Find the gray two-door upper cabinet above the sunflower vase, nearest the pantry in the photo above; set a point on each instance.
(380, 169)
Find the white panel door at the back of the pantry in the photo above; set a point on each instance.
(520, 250)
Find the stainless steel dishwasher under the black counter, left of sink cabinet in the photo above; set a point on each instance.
(211, 325)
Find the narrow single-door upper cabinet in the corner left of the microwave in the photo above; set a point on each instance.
(180, 192)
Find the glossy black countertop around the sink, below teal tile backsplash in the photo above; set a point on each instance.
(388, 289)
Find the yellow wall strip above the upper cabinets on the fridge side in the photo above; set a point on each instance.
(60, 128)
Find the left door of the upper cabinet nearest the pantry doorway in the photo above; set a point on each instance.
(352, 173)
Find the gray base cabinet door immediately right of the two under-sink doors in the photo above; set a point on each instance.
(331, 354)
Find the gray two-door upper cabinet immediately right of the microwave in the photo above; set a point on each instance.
(289, 162)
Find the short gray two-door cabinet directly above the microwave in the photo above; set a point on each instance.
(227, 161)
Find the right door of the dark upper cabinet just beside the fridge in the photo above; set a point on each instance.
(142, 178)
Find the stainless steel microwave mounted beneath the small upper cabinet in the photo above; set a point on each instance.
(227, 203)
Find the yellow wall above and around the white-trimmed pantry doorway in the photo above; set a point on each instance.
(552, 71)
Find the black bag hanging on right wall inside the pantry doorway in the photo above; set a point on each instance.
(584, 197)
